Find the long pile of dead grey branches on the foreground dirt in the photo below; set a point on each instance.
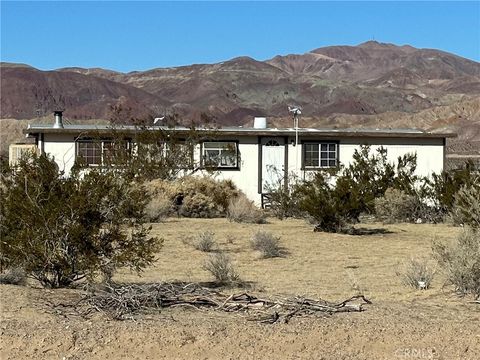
(123, 302)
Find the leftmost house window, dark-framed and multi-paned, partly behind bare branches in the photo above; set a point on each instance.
(101, 152)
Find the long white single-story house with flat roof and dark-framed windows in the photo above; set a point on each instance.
(257, 156)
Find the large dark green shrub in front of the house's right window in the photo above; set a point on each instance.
(336, 205)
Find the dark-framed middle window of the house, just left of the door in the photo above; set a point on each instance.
(222, 154)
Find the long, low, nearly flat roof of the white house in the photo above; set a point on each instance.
(245, 131)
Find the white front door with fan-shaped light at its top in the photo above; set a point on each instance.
(273, 162)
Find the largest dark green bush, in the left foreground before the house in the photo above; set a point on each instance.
(64, 229)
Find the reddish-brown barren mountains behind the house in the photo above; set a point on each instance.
(372, 84)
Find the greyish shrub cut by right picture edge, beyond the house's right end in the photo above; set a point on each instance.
(466, 207)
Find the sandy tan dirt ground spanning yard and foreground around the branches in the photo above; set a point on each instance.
(402, 323)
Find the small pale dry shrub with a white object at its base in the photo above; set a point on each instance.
(417, 273)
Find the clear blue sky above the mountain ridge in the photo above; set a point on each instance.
(127, 36)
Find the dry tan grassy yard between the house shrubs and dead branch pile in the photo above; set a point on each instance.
(319, 265)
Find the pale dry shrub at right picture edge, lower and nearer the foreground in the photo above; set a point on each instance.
(461, 261)
